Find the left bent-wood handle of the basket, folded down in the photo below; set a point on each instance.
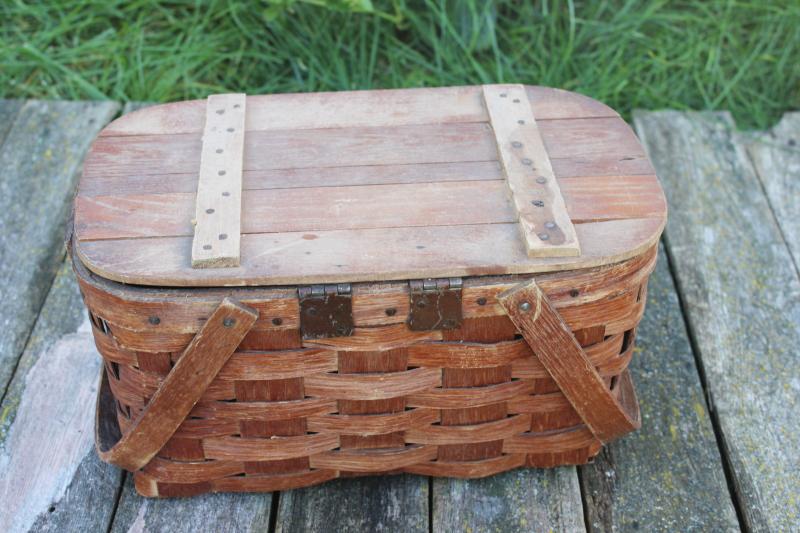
(197, 367)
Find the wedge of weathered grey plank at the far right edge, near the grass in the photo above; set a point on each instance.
(776, 156)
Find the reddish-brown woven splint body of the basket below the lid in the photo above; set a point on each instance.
(228, 389)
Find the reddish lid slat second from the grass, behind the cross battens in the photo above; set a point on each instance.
(576, 147)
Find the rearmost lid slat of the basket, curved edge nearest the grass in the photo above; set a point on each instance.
(357, 108)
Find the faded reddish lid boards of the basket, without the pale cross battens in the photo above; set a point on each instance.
(326, 177)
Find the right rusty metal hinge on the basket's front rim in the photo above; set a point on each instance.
(435, 304)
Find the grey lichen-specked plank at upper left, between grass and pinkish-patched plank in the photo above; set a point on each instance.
(40, 159)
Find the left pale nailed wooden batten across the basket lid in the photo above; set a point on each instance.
(218, 207)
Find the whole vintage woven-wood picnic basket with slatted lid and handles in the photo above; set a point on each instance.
(287, 289)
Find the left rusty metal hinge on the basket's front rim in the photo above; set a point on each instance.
(326, 311)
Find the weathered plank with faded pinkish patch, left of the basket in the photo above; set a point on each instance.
(50, 476)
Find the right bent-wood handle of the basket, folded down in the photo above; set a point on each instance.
(552, 341)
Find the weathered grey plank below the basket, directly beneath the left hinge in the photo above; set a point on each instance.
(389, 503)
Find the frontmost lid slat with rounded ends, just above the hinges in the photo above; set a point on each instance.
(338, 256)
